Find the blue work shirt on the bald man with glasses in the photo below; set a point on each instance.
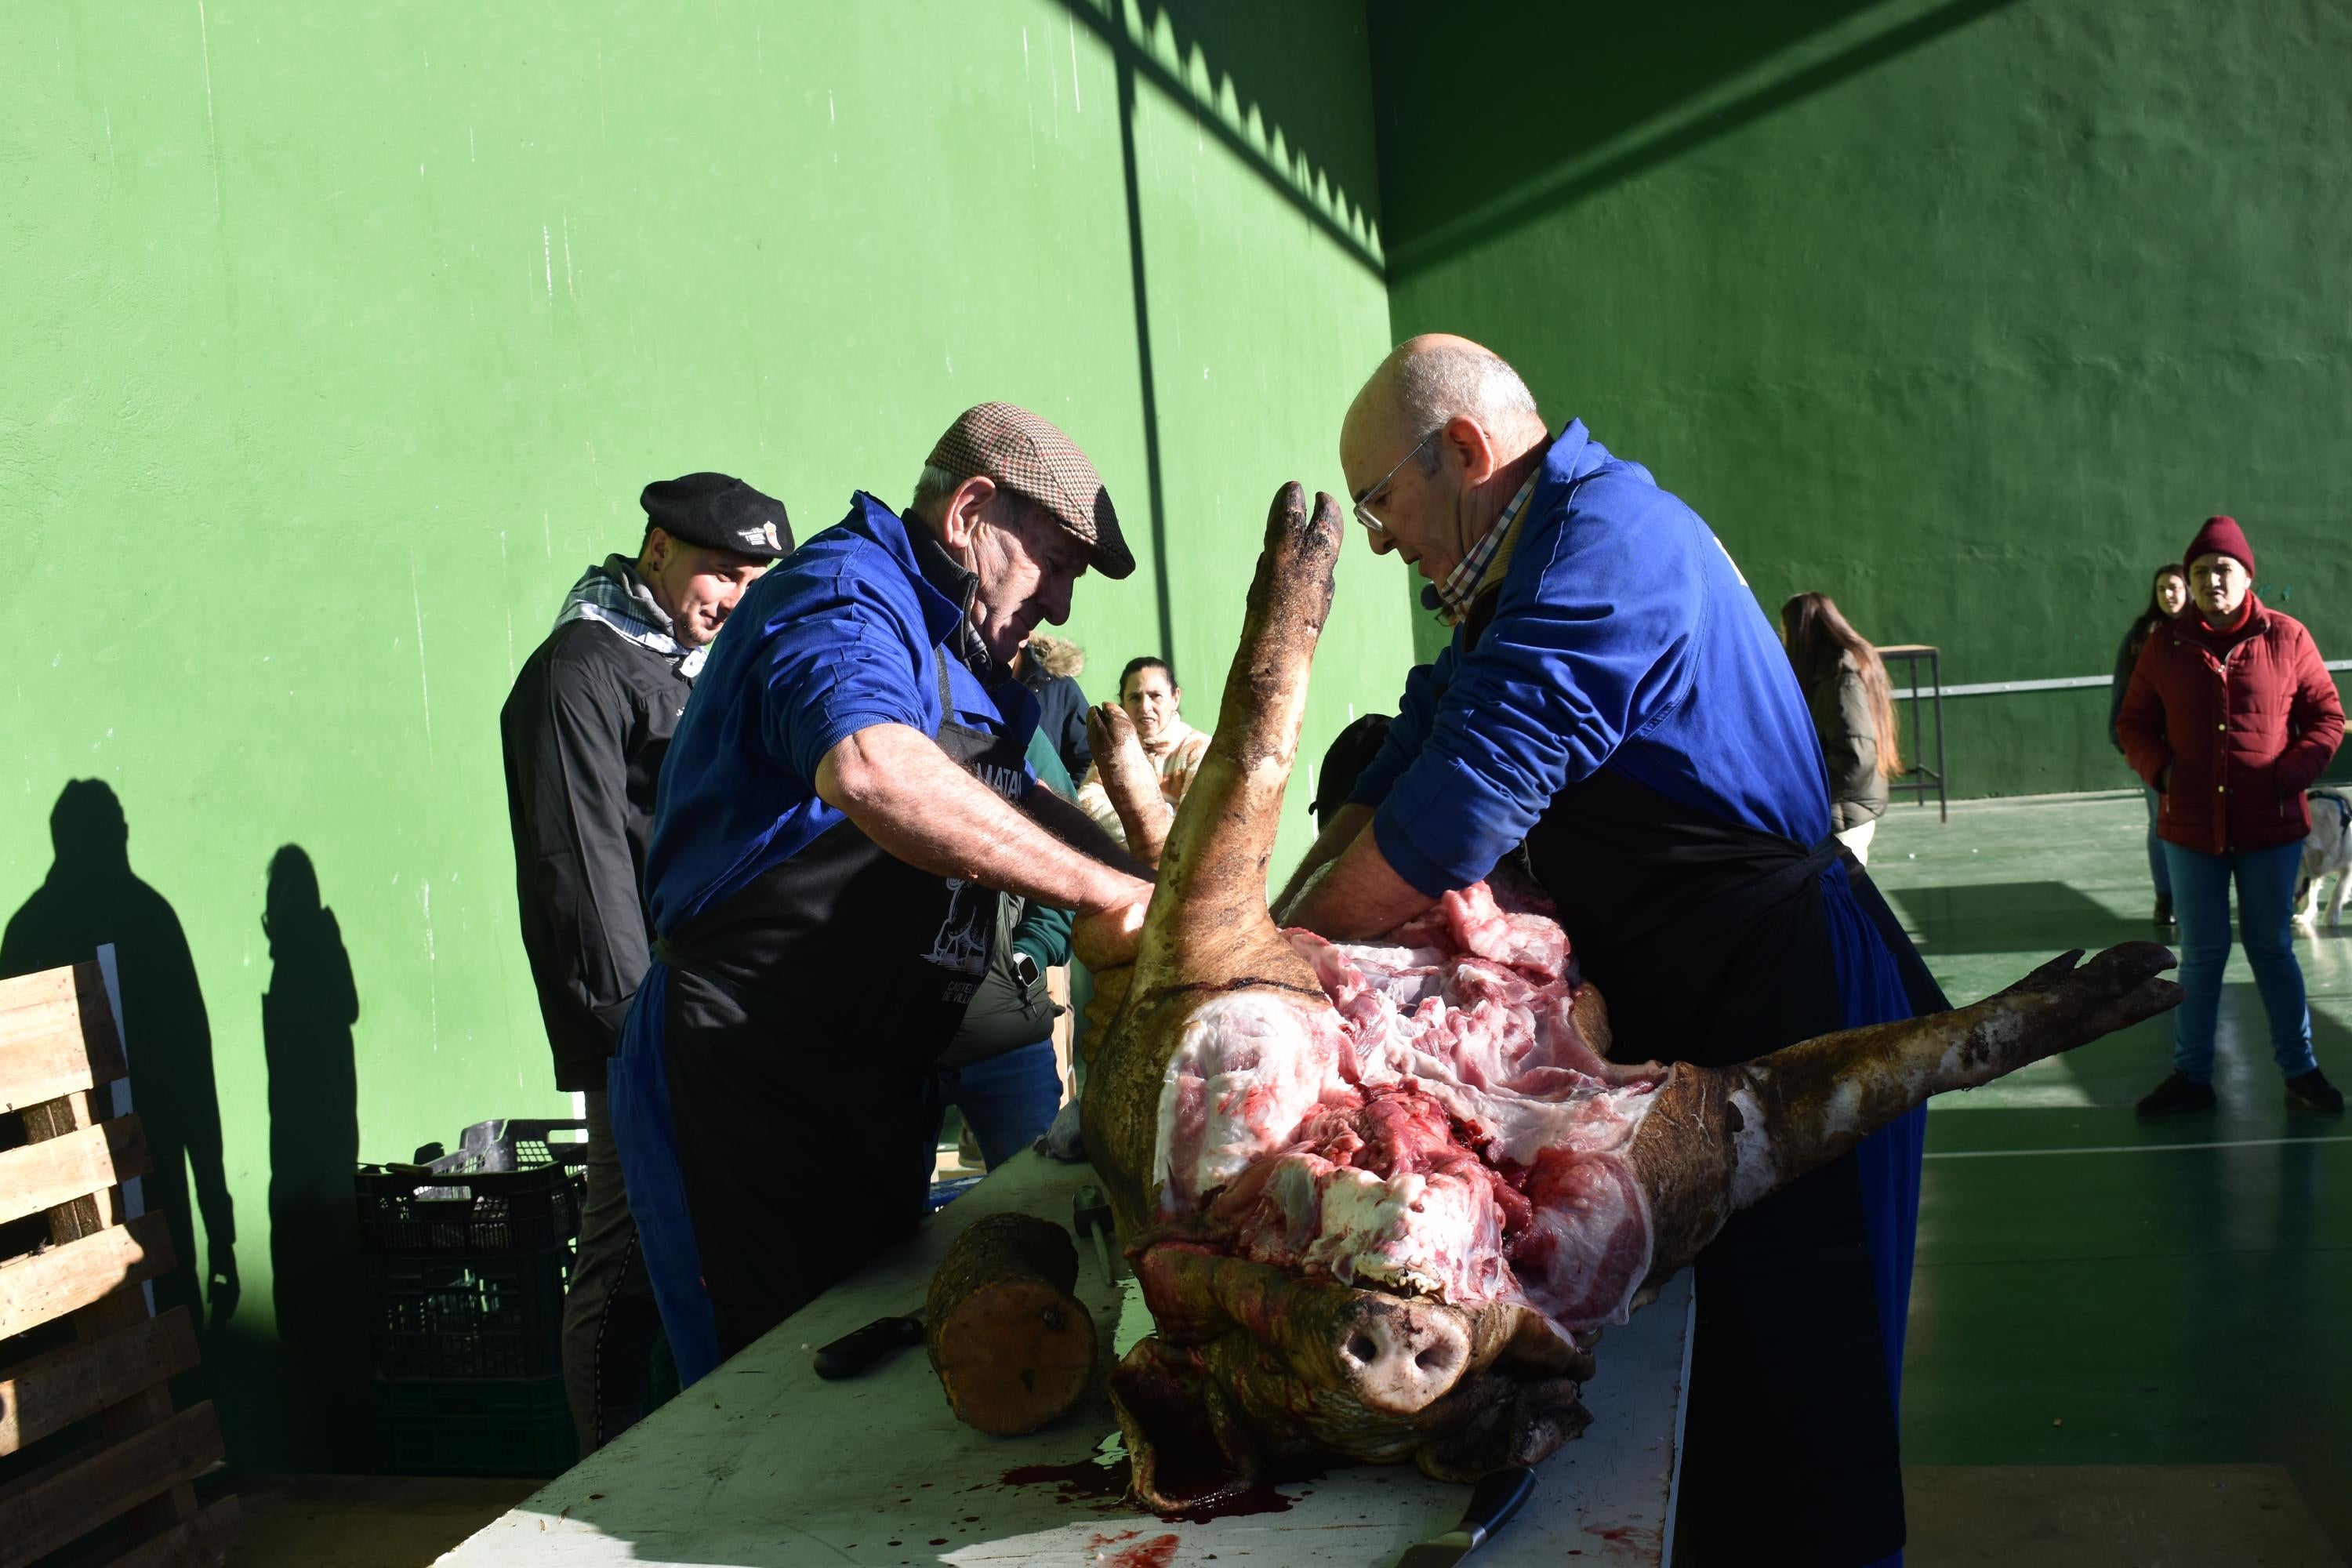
(1622, 638)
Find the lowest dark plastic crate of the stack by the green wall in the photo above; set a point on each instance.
(474, 1428)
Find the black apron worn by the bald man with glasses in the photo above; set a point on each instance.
(1709, 944)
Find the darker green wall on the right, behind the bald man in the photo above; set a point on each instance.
(1965, 314)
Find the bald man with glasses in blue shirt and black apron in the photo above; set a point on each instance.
(1617, 711)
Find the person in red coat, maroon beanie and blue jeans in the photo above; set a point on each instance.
(2231, 716)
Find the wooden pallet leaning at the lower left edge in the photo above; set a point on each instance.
(60, 1057)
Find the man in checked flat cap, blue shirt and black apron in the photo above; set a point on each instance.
(846, 796)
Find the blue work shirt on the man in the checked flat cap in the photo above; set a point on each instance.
(838, 638)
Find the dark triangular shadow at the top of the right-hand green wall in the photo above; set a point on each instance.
(1589, 98)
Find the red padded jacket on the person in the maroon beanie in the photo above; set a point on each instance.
(2245, 732)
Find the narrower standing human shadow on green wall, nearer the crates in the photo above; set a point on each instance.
(307, 1019)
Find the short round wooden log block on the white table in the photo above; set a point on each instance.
(1010, 1343)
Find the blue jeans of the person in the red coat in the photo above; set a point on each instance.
(2266, 890)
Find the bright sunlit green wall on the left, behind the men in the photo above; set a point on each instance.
(342, 340)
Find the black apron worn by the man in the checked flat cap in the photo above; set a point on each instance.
(803, 1021)
